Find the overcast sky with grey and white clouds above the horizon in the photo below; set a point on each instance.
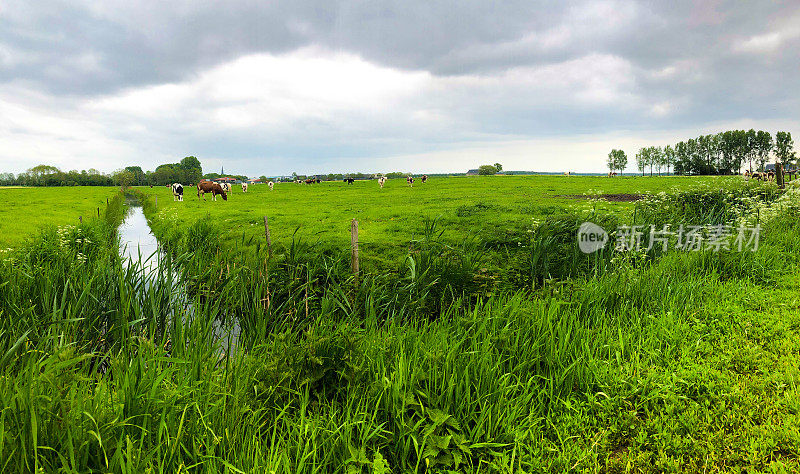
(414, 85)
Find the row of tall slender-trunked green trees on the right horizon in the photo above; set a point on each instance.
(723, 153)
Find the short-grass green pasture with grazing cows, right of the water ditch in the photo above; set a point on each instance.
(388, 218)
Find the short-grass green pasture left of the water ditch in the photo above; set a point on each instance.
(26, 210)
